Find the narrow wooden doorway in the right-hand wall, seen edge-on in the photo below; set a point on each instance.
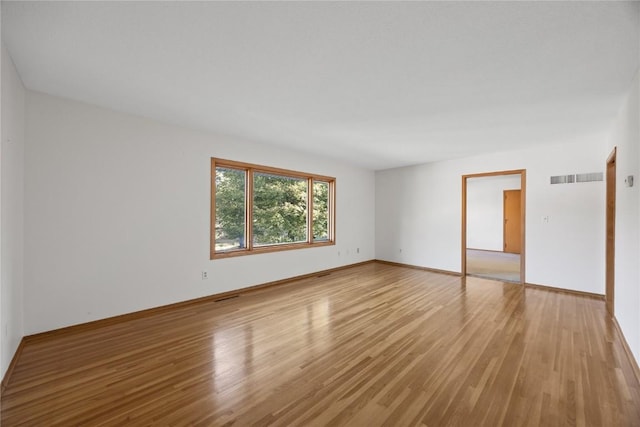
(611, 231)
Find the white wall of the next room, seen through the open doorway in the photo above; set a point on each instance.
(485, 210)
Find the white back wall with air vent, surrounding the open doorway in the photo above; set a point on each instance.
(418, 213)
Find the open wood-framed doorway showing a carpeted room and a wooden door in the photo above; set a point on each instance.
(493, 225)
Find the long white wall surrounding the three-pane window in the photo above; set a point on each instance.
(117, 212)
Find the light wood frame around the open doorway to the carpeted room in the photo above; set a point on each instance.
(523, 194)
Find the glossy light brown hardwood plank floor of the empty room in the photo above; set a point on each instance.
(370, 345)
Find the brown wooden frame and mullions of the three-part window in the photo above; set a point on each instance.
(250, 170)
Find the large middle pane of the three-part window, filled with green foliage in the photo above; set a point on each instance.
(279, 209)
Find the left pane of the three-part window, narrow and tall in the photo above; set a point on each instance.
(230, 209)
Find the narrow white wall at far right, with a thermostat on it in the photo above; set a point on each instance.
(626, 136)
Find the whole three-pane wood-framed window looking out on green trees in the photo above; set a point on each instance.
(258, 209)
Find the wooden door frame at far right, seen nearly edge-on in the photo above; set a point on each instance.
(610, 250)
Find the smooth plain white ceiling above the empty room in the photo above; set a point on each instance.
(380, 84)
